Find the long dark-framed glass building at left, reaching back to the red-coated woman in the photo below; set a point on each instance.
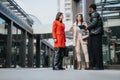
(19, 44)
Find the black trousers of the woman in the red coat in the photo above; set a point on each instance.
(58, 57)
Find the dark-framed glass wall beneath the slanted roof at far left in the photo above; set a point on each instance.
(17, 54)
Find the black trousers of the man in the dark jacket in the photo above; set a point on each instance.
(95, 51)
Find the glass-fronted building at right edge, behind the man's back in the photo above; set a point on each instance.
(110, 11)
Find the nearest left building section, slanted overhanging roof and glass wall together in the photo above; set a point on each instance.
(15, 33)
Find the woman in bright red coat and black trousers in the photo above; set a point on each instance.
(58, 34)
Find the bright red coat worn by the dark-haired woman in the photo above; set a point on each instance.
(58, 32)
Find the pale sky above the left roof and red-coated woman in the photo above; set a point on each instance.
(44, 10)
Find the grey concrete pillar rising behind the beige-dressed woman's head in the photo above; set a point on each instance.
(81, 6)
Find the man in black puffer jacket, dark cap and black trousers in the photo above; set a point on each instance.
(95, 28)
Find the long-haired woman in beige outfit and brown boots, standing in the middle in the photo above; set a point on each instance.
(79, 42)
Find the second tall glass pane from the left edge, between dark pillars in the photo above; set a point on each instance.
(16, 39)
